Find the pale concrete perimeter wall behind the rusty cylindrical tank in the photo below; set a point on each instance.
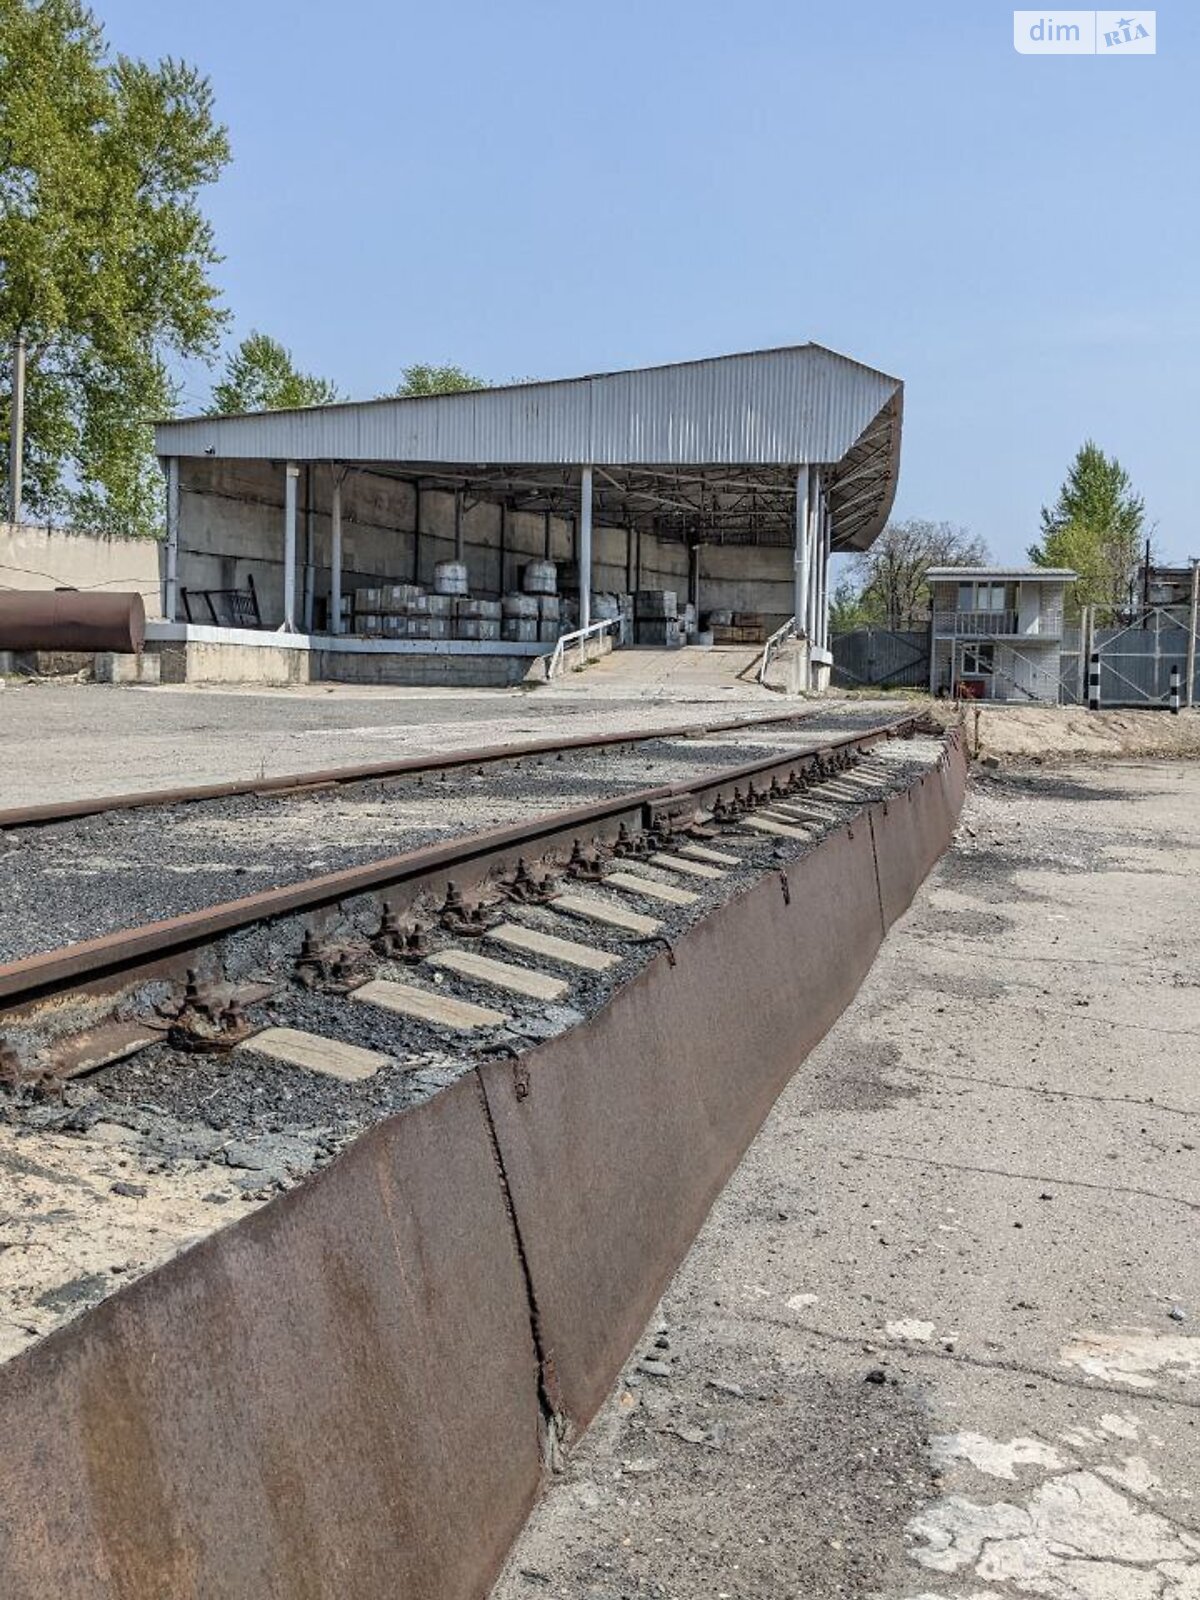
(57, 559)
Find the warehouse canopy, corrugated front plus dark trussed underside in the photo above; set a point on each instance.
(702, 450)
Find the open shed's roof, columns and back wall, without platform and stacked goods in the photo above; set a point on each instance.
(790, 454)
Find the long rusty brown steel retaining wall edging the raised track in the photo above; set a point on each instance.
(348, 1394)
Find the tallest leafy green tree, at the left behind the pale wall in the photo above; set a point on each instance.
(105, 257)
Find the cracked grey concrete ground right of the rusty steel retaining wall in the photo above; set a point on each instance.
(940, 1338)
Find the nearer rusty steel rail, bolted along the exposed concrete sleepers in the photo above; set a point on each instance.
(151, 946)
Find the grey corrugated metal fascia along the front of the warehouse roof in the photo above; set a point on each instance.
(801, 404)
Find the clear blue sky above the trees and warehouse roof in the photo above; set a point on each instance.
(543, 190)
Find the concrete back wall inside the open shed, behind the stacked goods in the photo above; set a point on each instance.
(231, 527)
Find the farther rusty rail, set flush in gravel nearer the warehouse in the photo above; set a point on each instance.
(410, 767)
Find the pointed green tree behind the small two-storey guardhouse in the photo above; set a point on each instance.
(1097, 529)
